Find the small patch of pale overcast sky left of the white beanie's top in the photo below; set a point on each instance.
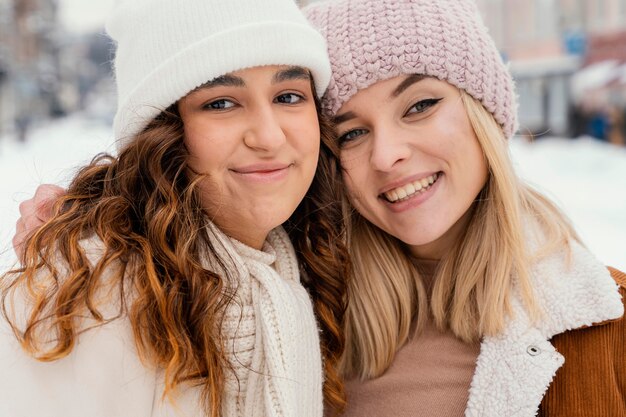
(84, 16)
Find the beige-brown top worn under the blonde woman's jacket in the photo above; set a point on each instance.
(430, 375)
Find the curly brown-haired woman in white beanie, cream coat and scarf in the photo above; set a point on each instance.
(164, 284)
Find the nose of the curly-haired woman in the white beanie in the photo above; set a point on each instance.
(265, 131)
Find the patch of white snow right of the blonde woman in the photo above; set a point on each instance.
(587, 179)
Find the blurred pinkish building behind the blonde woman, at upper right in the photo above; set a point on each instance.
(550, 45)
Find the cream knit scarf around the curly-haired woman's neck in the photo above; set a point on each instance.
(271, 332)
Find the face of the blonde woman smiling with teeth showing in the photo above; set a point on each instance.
(412, 163)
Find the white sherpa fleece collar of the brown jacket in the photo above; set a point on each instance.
(514, 369)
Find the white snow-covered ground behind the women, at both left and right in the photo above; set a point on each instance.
(585, 177)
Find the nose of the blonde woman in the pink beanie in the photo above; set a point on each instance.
(389, 148)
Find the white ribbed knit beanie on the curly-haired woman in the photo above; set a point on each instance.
(167, 48)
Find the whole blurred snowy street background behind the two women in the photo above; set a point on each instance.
(568, 57)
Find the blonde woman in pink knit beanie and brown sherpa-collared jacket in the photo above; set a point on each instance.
(471, 293)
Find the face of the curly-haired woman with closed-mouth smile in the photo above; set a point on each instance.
(255, 134)
